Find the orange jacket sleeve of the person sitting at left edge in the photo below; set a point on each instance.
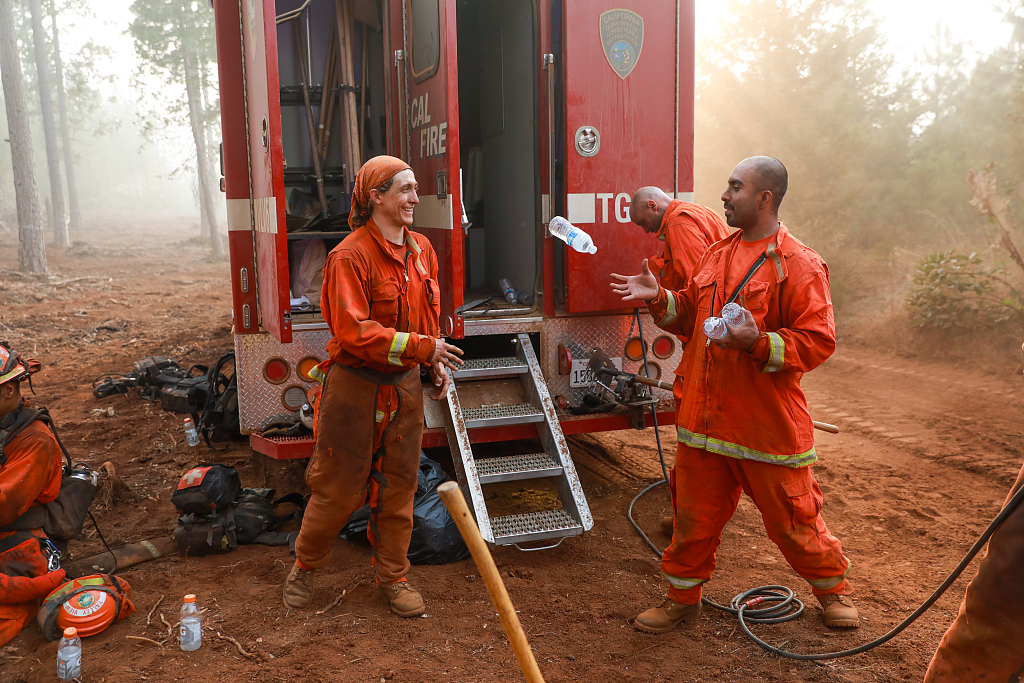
(32, 475)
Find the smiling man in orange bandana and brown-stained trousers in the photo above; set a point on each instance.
(382, 303)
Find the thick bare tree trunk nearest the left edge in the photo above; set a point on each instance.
(31, 248)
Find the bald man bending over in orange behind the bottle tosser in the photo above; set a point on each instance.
(688, 231)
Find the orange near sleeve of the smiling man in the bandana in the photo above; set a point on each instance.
(345, 282)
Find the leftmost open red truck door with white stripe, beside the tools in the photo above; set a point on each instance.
(260, 38)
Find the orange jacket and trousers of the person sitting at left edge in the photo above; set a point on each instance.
(31, 477)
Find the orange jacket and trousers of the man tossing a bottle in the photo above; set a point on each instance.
(743, 423)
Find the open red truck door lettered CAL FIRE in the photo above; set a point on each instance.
(425, 121)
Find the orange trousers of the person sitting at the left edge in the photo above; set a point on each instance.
(25, 580)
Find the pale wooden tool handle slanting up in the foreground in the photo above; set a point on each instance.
(456, 504)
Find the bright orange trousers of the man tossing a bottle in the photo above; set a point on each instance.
(706, 490)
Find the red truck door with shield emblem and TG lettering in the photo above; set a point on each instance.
(619, 59)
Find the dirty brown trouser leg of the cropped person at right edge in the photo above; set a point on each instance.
(986, 643)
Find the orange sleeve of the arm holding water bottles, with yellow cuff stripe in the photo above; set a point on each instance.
(809, 336)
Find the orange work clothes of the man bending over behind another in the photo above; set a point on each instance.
(688, 231)
